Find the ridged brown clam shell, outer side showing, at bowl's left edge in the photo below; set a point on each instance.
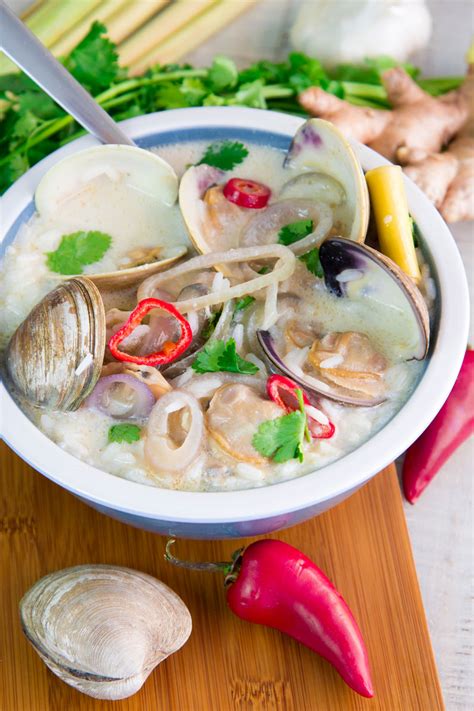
(55, 356)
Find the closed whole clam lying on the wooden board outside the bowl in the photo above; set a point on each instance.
(103, 629)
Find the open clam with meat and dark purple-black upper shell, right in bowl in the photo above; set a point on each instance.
(346, 366)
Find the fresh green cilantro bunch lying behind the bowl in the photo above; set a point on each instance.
(32, 125)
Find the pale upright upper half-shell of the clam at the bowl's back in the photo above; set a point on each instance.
(323, 164)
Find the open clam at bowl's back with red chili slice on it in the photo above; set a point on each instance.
(325, 185)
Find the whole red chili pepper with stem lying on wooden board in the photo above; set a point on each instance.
(274, 584)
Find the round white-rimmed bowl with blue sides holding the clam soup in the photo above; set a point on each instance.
(252, 511)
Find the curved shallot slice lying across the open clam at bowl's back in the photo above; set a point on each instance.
(264, 227)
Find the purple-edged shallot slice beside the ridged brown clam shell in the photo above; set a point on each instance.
(121, 396)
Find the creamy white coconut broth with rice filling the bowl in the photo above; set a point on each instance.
(25, 279)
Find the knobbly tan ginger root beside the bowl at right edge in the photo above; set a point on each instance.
(413, 134)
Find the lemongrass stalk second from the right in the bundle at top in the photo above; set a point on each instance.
(160, 27)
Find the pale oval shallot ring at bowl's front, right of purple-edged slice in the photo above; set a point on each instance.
(160, 452)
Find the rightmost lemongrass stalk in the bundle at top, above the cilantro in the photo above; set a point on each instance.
(193, 34)
